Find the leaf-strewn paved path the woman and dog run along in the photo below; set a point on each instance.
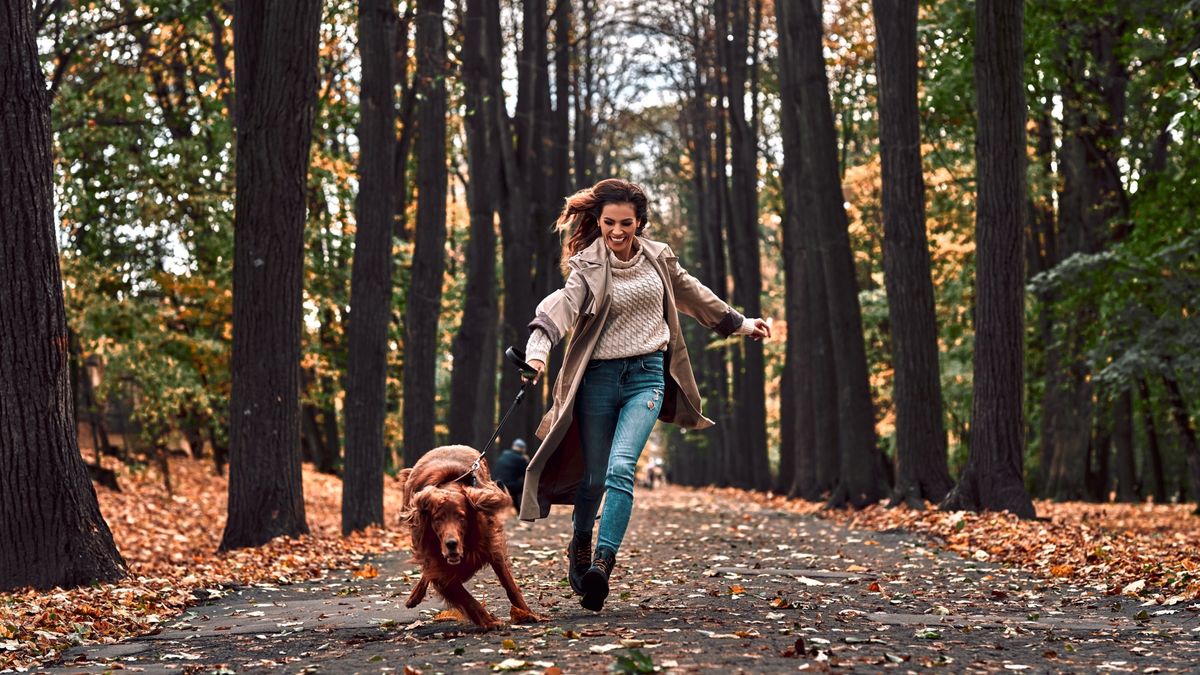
(706, 582)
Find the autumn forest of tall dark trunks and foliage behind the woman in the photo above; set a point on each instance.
(265, 236)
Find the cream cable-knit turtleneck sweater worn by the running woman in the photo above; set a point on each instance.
(637, 324)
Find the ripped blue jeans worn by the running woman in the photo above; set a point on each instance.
(616, 409)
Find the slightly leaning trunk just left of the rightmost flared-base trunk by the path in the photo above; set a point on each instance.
(921, 439)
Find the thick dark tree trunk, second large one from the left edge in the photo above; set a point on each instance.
(275, 77)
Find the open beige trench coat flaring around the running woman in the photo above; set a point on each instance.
(580, 309)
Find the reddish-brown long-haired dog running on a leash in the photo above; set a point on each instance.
(457, 530)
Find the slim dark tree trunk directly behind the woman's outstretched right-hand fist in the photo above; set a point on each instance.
(749, 397)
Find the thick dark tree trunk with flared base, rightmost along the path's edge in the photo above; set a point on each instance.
(993, 479)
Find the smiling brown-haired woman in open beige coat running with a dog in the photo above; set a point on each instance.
(627, 366)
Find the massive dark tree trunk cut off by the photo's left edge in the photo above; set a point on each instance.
(51, 525)
